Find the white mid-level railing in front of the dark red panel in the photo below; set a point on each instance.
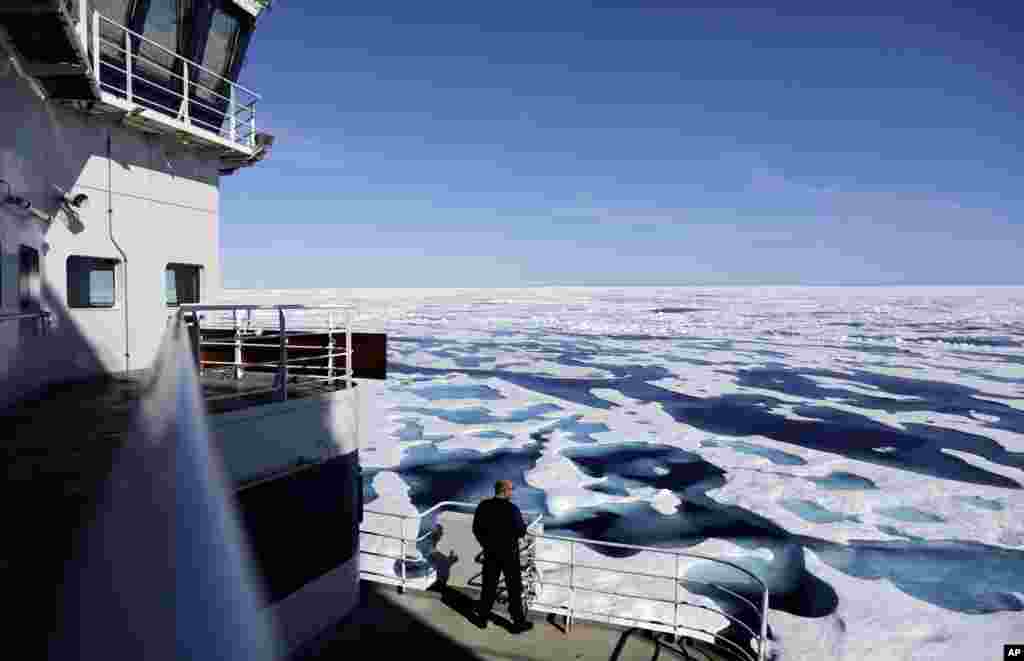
(247, 336)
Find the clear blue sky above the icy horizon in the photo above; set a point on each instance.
(503, 145)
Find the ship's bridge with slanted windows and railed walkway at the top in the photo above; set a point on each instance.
(167, 67)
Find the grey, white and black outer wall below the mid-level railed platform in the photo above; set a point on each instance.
(302, 501)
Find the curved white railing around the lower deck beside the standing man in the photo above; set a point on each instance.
(572, 610)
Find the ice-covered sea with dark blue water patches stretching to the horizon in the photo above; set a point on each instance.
(861, 450)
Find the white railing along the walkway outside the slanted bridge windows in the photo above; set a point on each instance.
(117, 60)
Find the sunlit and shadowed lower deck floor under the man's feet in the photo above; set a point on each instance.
(437, 625)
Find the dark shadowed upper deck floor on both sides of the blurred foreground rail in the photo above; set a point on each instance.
(59, 448)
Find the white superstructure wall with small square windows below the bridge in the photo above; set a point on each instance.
(151, 203)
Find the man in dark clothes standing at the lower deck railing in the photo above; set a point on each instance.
(498, 525)
